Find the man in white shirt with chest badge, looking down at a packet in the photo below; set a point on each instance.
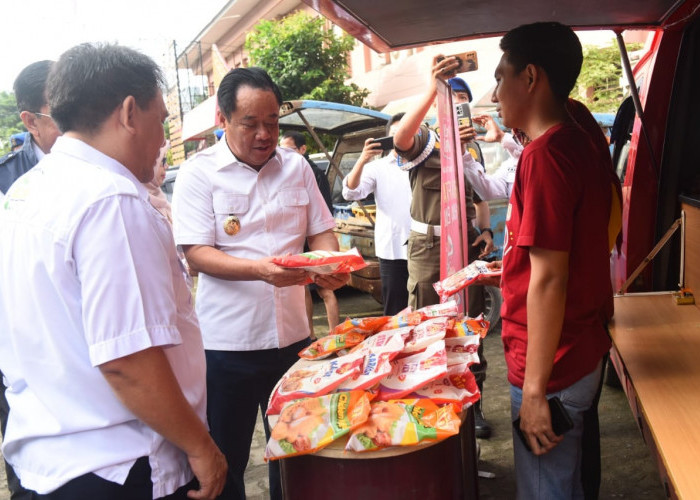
(236, 206)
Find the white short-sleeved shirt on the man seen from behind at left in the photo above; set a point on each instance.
(88, 274)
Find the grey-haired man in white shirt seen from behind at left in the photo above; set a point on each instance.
(99, 344)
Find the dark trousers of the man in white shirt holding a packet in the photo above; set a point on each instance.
(238, 383)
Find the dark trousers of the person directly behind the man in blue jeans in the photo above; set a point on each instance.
(590, 444)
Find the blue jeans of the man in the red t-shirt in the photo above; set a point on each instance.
(557, 474)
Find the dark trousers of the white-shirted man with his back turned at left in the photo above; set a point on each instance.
(138, 486)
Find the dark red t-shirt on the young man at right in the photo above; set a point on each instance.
(560, 201)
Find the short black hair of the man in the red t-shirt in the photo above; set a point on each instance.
(552, 46)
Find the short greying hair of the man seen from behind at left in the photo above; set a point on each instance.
(90, 81)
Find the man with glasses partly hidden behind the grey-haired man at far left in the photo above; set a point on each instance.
(30, 92)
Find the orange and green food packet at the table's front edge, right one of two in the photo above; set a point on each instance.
(404, 423)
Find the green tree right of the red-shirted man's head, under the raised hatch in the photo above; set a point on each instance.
(598, 85)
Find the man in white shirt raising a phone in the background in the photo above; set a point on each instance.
(392, 194)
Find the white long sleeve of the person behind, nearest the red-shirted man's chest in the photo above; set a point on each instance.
(500, 183)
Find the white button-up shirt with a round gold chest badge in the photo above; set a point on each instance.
(277, 207)
